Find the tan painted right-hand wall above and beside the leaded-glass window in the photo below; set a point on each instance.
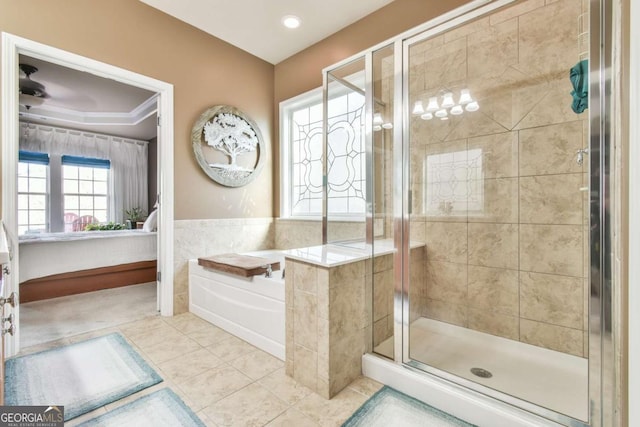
(303, 72)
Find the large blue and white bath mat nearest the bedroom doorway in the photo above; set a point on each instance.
(81, 376)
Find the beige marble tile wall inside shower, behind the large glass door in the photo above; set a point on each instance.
(510, 259)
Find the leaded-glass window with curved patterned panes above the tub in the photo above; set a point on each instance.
(345, 157)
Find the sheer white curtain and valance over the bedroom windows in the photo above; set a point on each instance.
(128, 173)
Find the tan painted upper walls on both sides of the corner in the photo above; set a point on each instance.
(205, 71)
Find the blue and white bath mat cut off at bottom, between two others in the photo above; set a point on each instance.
(162, 408)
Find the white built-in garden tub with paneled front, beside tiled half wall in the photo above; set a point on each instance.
(249, 308)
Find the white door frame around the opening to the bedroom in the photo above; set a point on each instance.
(12, 46)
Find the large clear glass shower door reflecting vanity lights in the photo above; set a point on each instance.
(496, 206)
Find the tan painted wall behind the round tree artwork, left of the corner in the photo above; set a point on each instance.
(204, 70)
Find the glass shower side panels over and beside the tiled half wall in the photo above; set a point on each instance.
(360, 211)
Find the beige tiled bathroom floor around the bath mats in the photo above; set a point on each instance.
(223, 379)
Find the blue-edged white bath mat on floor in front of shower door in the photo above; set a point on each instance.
(390, 408)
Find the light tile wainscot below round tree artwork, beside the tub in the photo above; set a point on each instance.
(205, 237)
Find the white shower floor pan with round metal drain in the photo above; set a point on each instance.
(547, 378)
